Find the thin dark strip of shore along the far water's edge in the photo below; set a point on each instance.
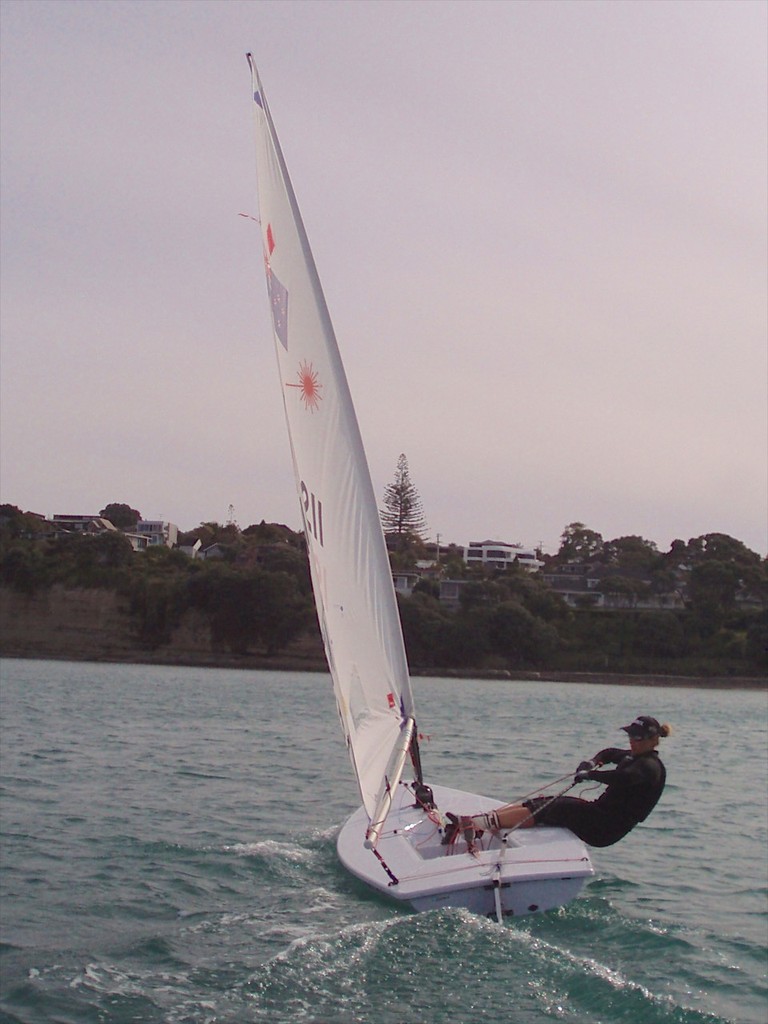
(255, 663)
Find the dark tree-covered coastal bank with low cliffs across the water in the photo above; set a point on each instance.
(627, 613)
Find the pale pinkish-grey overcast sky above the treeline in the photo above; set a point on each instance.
(540, 227)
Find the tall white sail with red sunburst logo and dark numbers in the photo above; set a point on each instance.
(351, 572)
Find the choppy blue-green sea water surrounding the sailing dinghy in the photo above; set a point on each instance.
(168, 857)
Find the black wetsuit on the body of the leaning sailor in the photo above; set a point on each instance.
(633, 789)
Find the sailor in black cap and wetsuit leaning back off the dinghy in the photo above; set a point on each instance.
(632, 791)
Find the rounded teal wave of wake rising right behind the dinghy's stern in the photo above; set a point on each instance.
(460, 953)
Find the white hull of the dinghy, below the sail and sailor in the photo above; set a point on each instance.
(525, 872)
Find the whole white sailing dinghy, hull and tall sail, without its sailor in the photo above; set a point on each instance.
(396, 841)
